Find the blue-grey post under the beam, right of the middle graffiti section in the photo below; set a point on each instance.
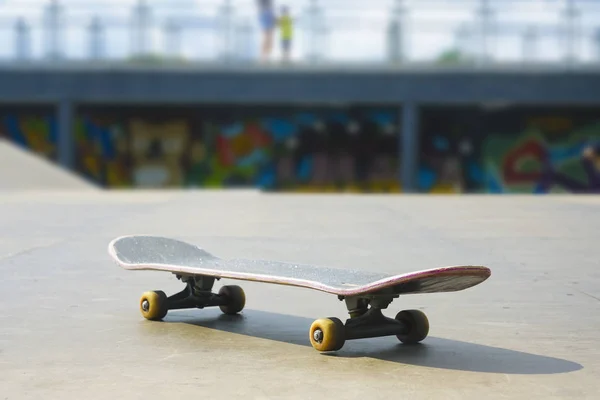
(409, 146)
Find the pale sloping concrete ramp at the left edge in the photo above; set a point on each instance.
(23, 170)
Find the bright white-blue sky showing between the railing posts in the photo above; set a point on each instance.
(357, 28)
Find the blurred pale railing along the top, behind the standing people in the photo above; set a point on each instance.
(467, 32)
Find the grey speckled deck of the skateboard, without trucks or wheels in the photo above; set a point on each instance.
(165, 254)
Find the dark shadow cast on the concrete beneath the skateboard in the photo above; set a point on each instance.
(433, 352)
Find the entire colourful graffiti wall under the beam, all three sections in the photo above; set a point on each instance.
(468, 149)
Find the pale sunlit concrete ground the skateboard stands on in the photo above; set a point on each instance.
(70, 324)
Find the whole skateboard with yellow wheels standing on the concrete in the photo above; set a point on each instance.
(365, 294)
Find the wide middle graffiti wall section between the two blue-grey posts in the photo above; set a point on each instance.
(267, 147)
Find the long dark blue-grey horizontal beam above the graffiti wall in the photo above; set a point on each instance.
(222, 84)
